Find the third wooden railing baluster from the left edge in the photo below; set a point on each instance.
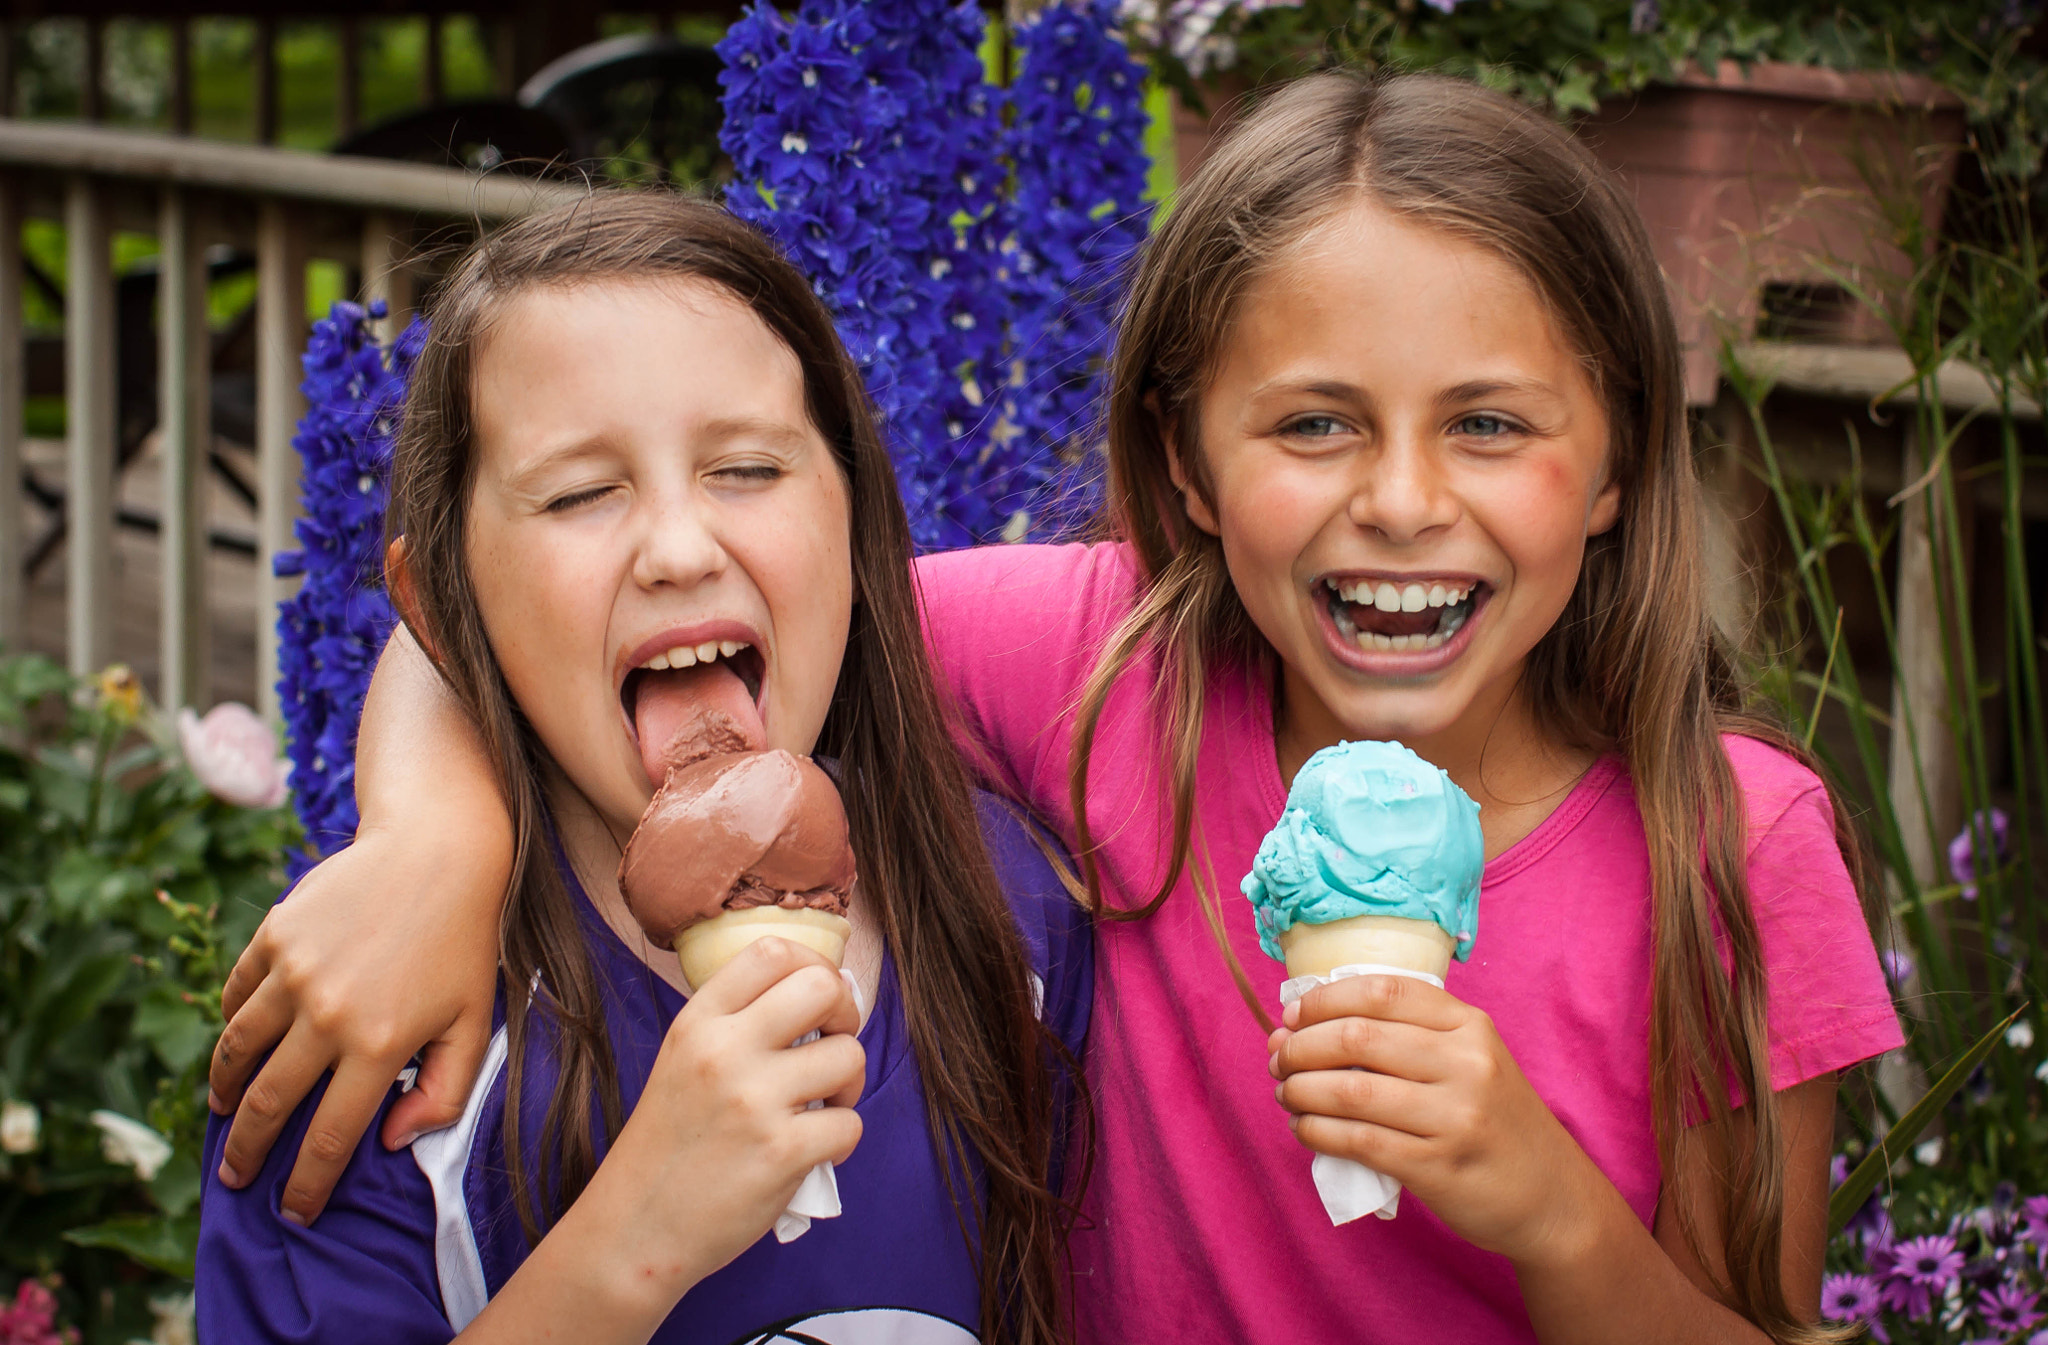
(185, 419)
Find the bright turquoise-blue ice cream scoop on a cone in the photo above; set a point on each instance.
(1371, 830)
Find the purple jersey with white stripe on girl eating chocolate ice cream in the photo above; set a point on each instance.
(415, 1242)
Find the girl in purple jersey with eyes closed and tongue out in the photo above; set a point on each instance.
(634, 431)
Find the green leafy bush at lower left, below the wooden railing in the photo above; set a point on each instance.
(126, 894)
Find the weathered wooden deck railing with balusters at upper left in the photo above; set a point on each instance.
(284, 206)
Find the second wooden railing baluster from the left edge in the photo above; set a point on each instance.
(89, 408)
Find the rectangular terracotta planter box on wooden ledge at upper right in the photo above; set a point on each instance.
(1768, 189)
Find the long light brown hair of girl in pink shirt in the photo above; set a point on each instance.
(1633, 664)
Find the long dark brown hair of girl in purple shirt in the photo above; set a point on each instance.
(925, 867)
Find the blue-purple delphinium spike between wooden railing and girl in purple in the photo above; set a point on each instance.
(335, 625)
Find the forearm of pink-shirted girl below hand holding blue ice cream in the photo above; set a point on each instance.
(1601, 1278)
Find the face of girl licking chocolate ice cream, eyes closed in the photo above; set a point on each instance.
(656, 529)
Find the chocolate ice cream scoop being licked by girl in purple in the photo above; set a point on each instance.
(736, 830)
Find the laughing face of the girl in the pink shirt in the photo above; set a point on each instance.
(1404, 464)
